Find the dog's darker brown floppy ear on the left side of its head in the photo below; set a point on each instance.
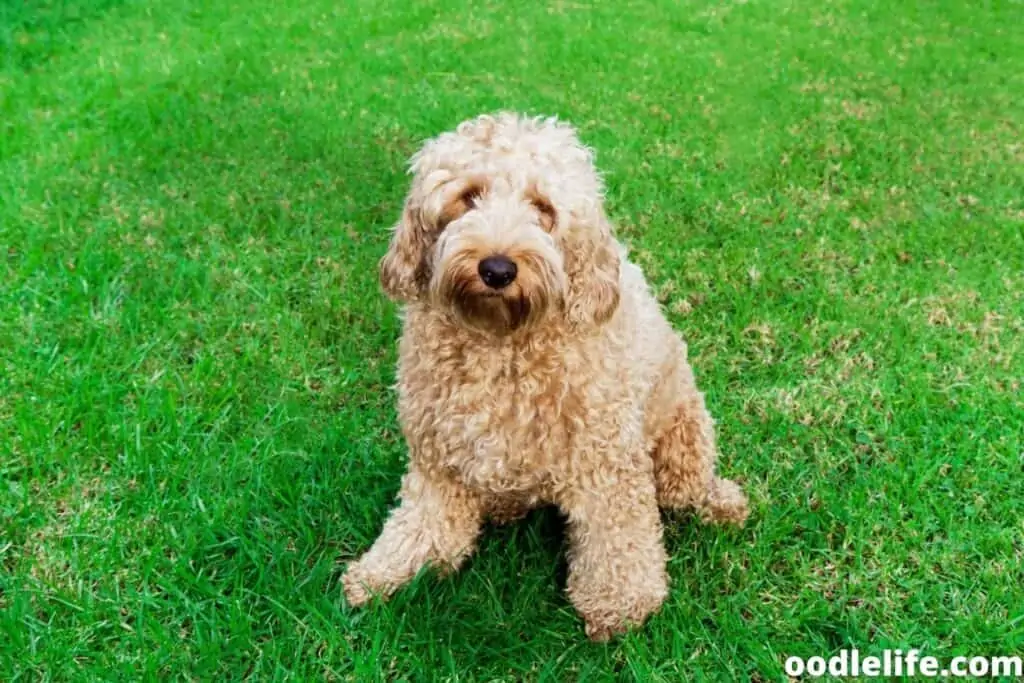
(404, 270)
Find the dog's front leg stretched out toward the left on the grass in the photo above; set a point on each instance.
(437, 524)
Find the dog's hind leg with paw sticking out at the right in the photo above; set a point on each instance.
(685, 461)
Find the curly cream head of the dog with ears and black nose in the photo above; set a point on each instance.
(504, 227)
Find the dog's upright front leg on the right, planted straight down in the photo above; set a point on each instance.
(617, 558)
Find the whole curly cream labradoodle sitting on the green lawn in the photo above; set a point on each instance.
(536, 368)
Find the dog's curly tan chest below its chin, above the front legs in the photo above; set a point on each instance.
(499, 420)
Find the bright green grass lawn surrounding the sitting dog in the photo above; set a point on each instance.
(196, 423)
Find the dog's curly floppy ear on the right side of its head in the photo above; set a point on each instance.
(592, 264)
